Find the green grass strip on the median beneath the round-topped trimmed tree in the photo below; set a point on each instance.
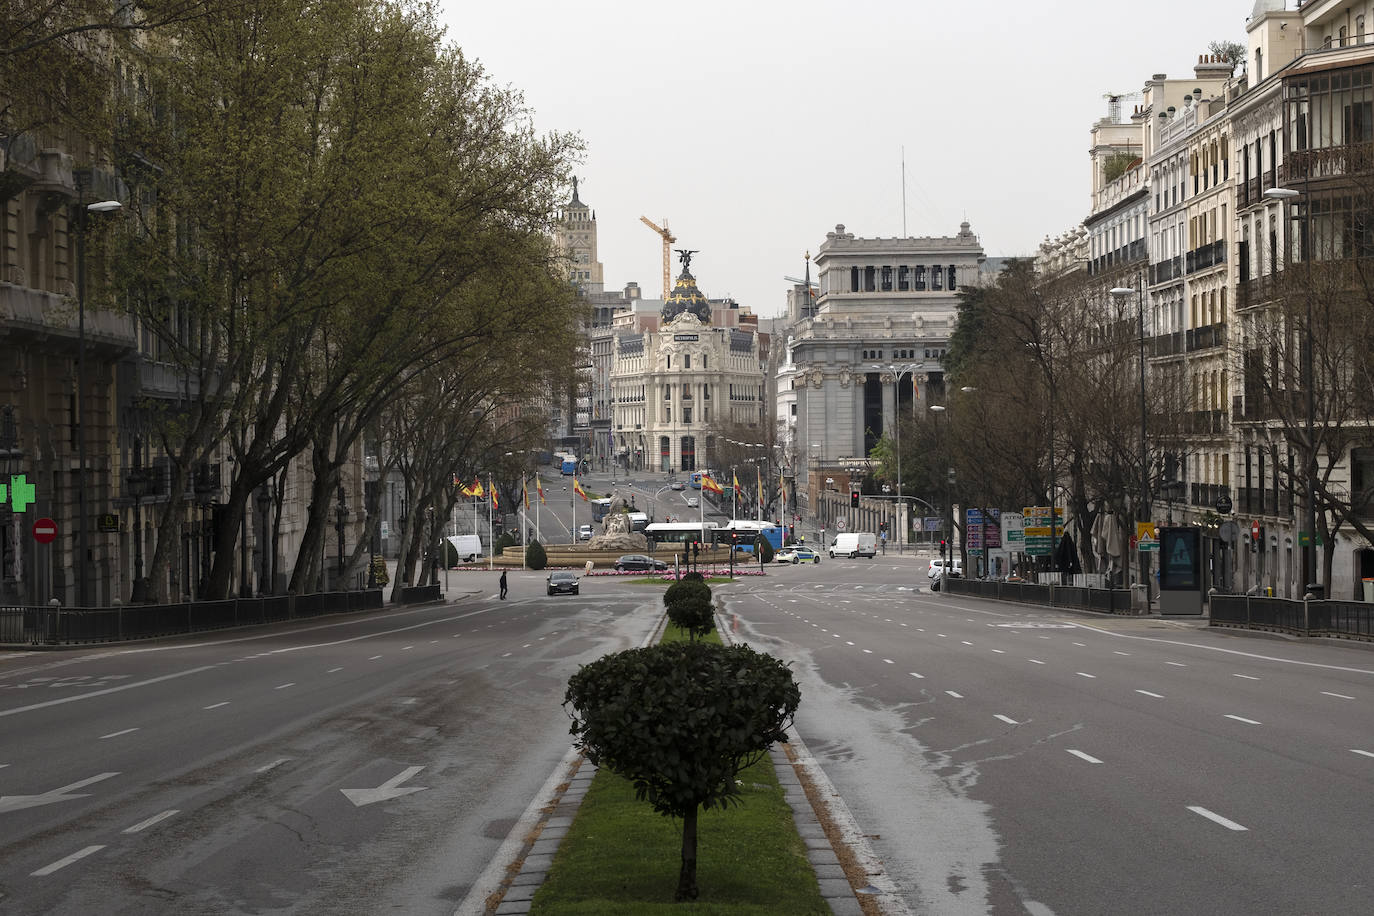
(620, 858)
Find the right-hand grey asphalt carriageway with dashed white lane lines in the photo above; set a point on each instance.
(1015, 760)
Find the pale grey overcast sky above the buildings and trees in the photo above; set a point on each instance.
(756, 127)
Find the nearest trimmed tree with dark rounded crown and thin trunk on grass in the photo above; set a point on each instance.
(679, 722)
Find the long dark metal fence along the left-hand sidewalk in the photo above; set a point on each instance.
(79, 626)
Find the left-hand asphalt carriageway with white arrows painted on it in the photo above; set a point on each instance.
(354, 766)
